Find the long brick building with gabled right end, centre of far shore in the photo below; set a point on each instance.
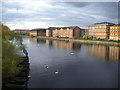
(70, 32)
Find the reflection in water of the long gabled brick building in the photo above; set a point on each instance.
(65, 45)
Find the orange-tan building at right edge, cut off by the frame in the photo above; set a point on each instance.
(115, 32)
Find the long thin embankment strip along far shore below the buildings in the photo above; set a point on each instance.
(85, 41)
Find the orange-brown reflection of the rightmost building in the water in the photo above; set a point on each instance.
(114, 53)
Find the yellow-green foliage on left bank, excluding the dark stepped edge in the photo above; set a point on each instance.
(10, 58)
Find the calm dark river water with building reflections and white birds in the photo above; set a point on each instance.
(64, 64)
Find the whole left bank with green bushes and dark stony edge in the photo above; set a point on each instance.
(15, 62)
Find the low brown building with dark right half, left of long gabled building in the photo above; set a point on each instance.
(38, 32)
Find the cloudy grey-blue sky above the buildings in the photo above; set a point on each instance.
(23, 14)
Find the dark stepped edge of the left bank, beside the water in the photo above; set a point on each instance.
(20, 80)
